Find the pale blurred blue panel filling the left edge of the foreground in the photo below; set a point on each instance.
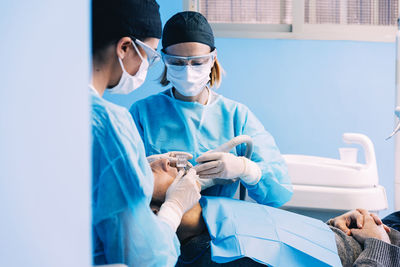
(44, 134)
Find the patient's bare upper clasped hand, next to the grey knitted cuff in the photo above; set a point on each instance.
(370, 230)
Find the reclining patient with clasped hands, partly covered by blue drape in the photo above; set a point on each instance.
(372, 244)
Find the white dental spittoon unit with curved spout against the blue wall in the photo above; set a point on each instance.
(324, 188)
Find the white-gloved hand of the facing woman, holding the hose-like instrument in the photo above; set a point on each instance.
(227, 166)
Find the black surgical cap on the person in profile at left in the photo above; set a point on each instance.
(114, 19)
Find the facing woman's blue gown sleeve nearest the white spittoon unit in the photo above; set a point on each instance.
(274, 188)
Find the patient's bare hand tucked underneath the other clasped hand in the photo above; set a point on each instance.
(354, 219)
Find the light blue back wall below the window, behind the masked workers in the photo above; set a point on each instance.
(307, 93)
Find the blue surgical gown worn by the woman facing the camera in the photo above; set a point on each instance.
(168, 124)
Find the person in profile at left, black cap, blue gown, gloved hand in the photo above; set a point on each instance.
(125, 230)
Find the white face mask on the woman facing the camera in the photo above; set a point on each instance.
(189, 80)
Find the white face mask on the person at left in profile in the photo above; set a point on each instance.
(129, 83)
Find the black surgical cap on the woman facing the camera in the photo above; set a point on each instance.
(185, 27)
